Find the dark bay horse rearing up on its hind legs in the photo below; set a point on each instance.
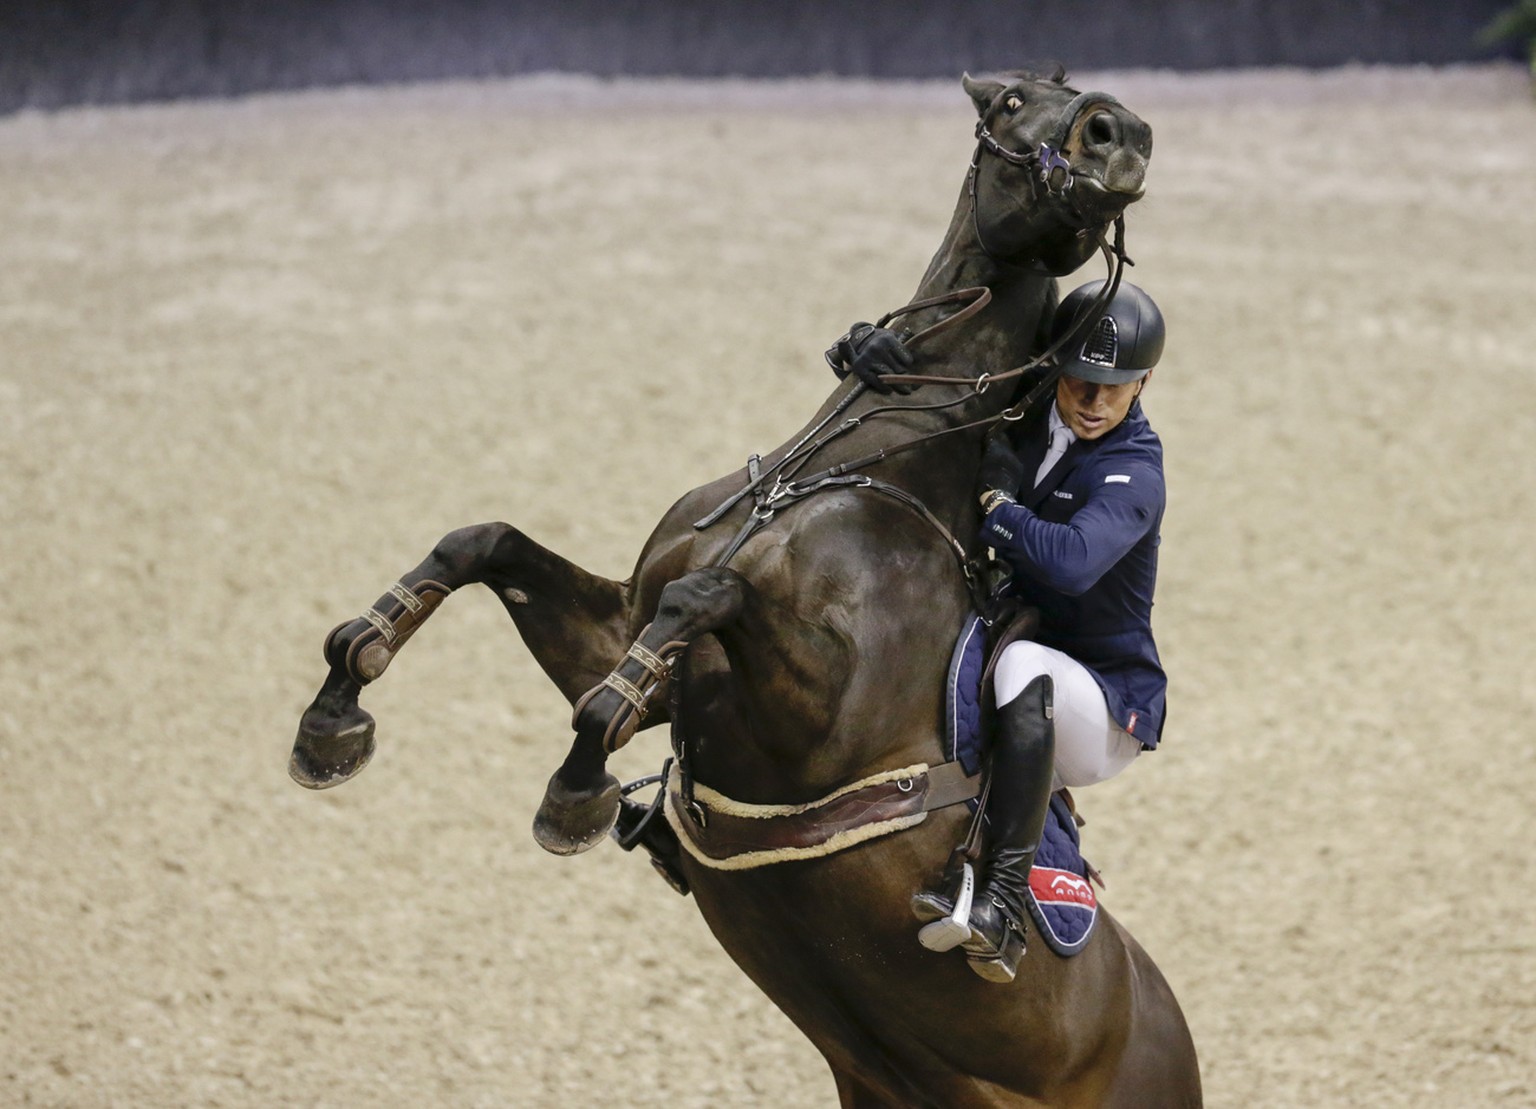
(799, 643)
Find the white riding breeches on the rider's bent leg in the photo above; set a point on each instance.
(1091, 747)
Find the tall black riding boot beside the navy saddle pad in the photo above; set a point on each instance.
(1024, 763)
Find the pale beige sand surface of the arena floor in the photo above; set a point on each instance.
(257, 357)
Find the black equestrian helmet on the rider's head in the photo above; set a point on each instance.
(1117, 346)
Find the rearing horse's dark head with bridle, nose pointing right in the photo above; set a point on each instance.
(1051, 165)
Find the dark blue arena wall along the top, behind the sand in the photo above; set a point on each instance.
(59, 53)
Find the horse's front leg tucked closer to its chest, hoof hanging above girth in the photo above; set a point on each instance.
(581, 803)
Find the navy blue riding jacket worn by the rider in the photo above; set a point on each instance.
(1084, 551)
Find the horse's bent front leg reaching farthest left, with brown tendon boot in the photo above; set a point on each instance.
(574, 623)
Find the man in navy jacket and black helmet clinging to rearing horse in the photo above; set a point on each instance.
(1073, 503)
